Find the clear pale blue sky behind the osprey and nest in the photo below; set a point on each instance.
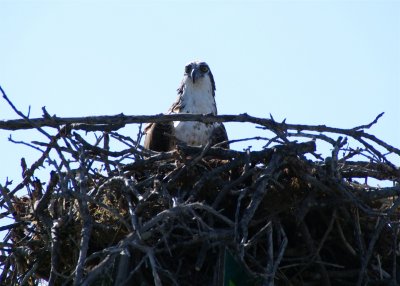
(311, 62)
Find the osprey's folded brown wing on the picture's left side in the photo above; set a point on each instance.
(159, 137)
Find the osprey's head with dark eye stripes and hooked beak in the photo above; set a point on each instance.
(199, 73)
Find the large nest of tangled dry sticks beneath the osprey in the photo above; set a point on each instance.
(288, 215)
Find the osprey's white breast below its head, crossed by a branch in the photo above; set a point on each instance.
(197, 98)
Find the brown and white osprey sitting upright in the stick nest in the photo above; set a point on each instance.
(195, 95)
